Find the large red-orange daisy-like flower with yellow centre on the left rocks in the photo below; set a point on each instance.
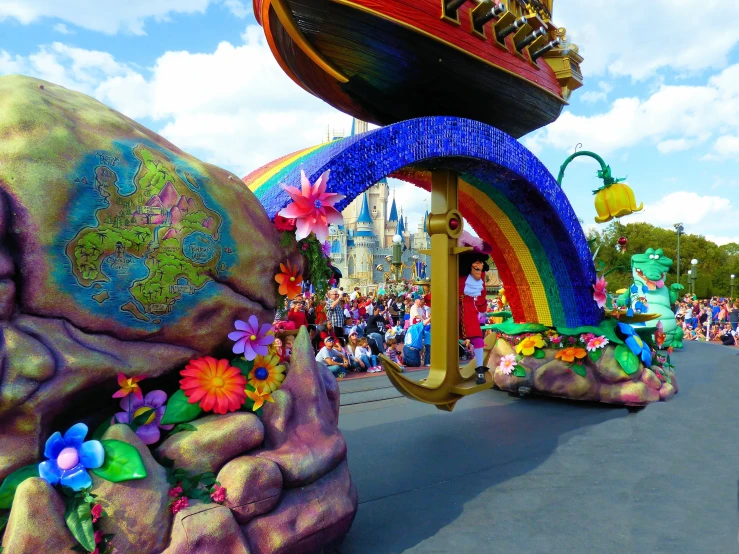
(215, 384)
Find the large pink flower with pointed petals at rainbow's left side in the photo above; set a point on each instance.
(312, 207)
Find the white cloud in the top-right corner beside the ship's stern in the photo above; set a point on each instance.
(635, 39)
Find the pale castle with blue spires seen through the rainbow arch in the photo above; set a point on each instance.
(360, 247)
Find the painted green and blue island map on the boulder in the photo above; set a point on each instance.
(153, 241)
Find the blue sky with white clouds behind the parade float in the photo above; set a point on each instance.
(660, 101)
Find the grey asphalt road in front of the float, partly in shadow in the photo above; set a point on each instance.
(537, 475)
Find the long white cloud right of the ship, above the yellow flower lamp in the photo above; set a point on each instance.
(672, 113)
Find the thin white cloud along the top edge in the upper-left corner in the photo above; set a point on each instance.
(110, 16)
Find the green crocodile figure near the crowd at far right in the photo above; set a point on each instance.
(648, 293)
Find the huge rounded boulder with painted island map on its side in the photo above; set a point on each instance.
(118, 253)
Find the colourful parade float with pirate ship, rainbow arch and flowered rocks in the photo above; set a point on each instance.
(143, 406)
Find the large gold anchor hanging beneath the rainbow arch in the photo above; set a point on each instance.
(446, 382)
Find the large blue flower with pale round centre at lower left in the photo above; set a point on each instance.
(70, 458)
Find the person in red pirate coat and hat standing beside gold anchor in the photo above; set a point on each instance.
(472, 301)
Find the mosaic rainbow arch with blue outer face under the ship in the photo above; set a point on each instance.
(506, 194)
